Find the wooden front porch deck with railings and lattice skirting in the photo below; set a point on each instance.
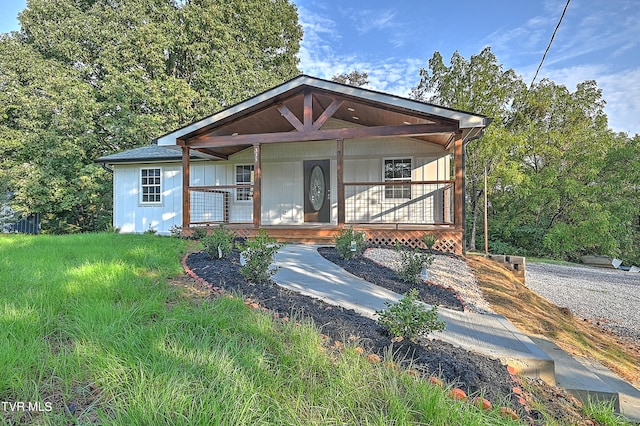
(430, 210)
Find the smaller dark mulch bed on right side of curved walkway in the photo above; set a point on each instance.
(375, 273)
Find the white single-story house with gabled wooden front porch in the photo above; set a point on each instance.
(303, 160)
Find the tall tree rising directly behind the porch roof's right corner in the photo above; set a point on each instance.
(482, 86)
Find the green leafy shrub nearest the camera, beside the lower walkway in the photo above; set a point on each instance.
(409, 318)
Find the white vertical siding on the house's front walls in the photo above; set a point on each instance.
(282, 183)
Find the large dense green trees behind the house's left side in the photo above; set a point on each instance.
(85, 78)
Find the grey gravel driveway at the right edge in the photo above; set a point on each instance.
(608, 296)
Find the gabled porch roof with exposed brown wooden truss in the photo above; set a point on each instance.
(297, 109)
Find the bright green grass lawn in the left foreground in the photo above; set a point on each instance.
(89, 324)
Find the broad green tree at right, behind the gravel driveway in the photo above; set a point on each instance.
(561, 204)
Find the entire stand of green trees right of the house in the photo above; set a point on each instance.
(561, 183)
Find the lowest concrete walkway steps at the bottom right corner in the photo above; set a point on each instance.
(586, 379)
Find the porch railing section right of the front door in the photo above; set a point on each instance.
(407, 202)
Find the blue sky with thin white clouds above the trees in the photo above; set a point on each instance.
(597, 40)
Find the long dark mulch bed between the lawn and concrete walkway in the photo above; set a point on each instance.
(471, 372)
